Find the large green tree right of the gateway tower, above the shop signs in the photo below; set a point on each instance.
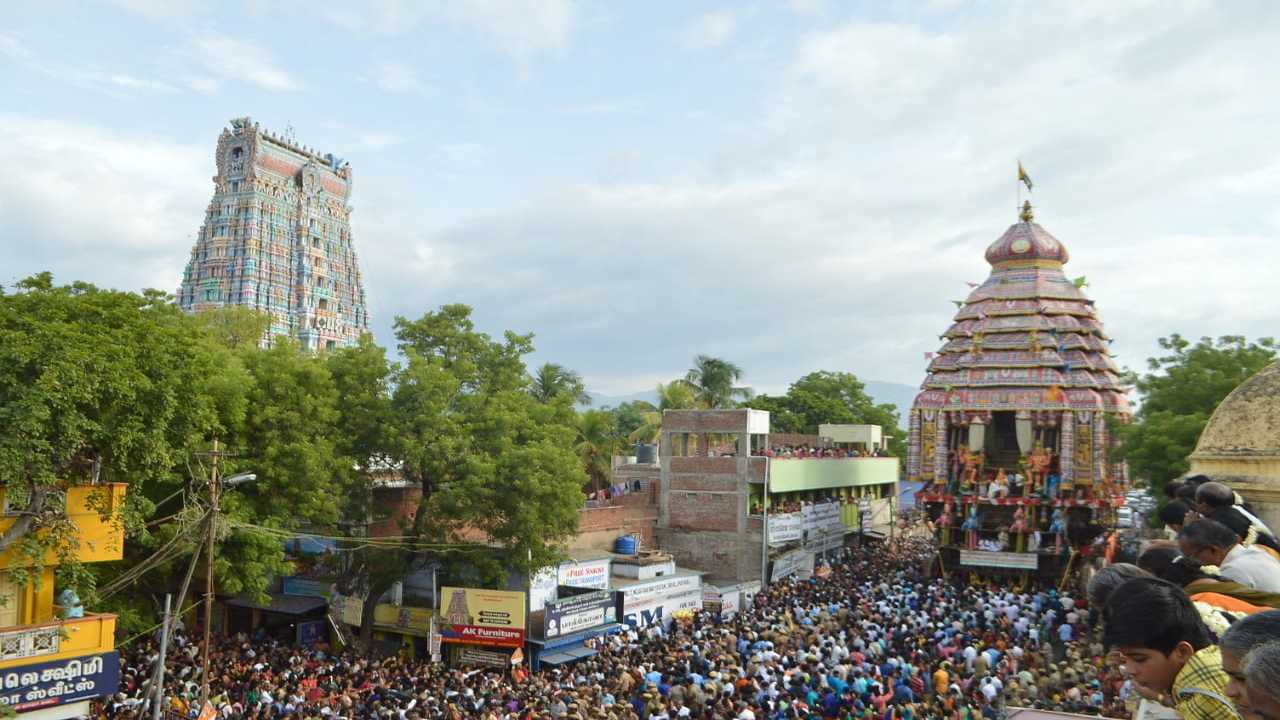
(500, 472)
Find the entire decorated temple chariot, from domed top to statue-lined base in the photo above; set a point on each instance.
(1011, 435)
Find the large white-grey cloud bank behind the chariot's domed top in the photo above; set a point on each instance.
(835, 234)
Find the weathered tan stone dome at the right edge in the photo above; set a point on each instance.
(1241, 444)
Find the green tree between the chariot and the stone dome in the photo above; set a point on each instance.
(1180, 394)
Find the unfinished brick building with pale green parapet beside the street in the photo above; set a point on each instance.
(720, 489)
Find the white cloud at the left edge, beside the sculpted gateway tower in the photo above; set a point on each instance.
(99, 207)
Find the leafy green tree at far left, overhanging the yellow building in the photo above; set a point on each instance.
(106, 386)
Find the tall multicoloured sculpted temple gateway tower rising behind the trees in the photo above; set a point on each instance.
(277, 239)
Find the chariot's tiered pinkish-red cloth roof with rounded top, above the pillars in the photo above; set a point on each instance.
(1027, 339)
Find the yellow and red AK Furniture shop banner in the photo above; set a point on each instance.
(481, 617)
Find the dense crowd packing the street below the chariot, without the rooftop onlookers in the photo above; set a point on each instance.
(875, 639)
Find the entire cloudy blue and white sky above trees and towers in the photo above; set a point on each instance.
(793, 186)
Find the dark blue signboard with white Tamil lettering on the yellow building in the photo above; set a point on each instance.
(45, 685)
